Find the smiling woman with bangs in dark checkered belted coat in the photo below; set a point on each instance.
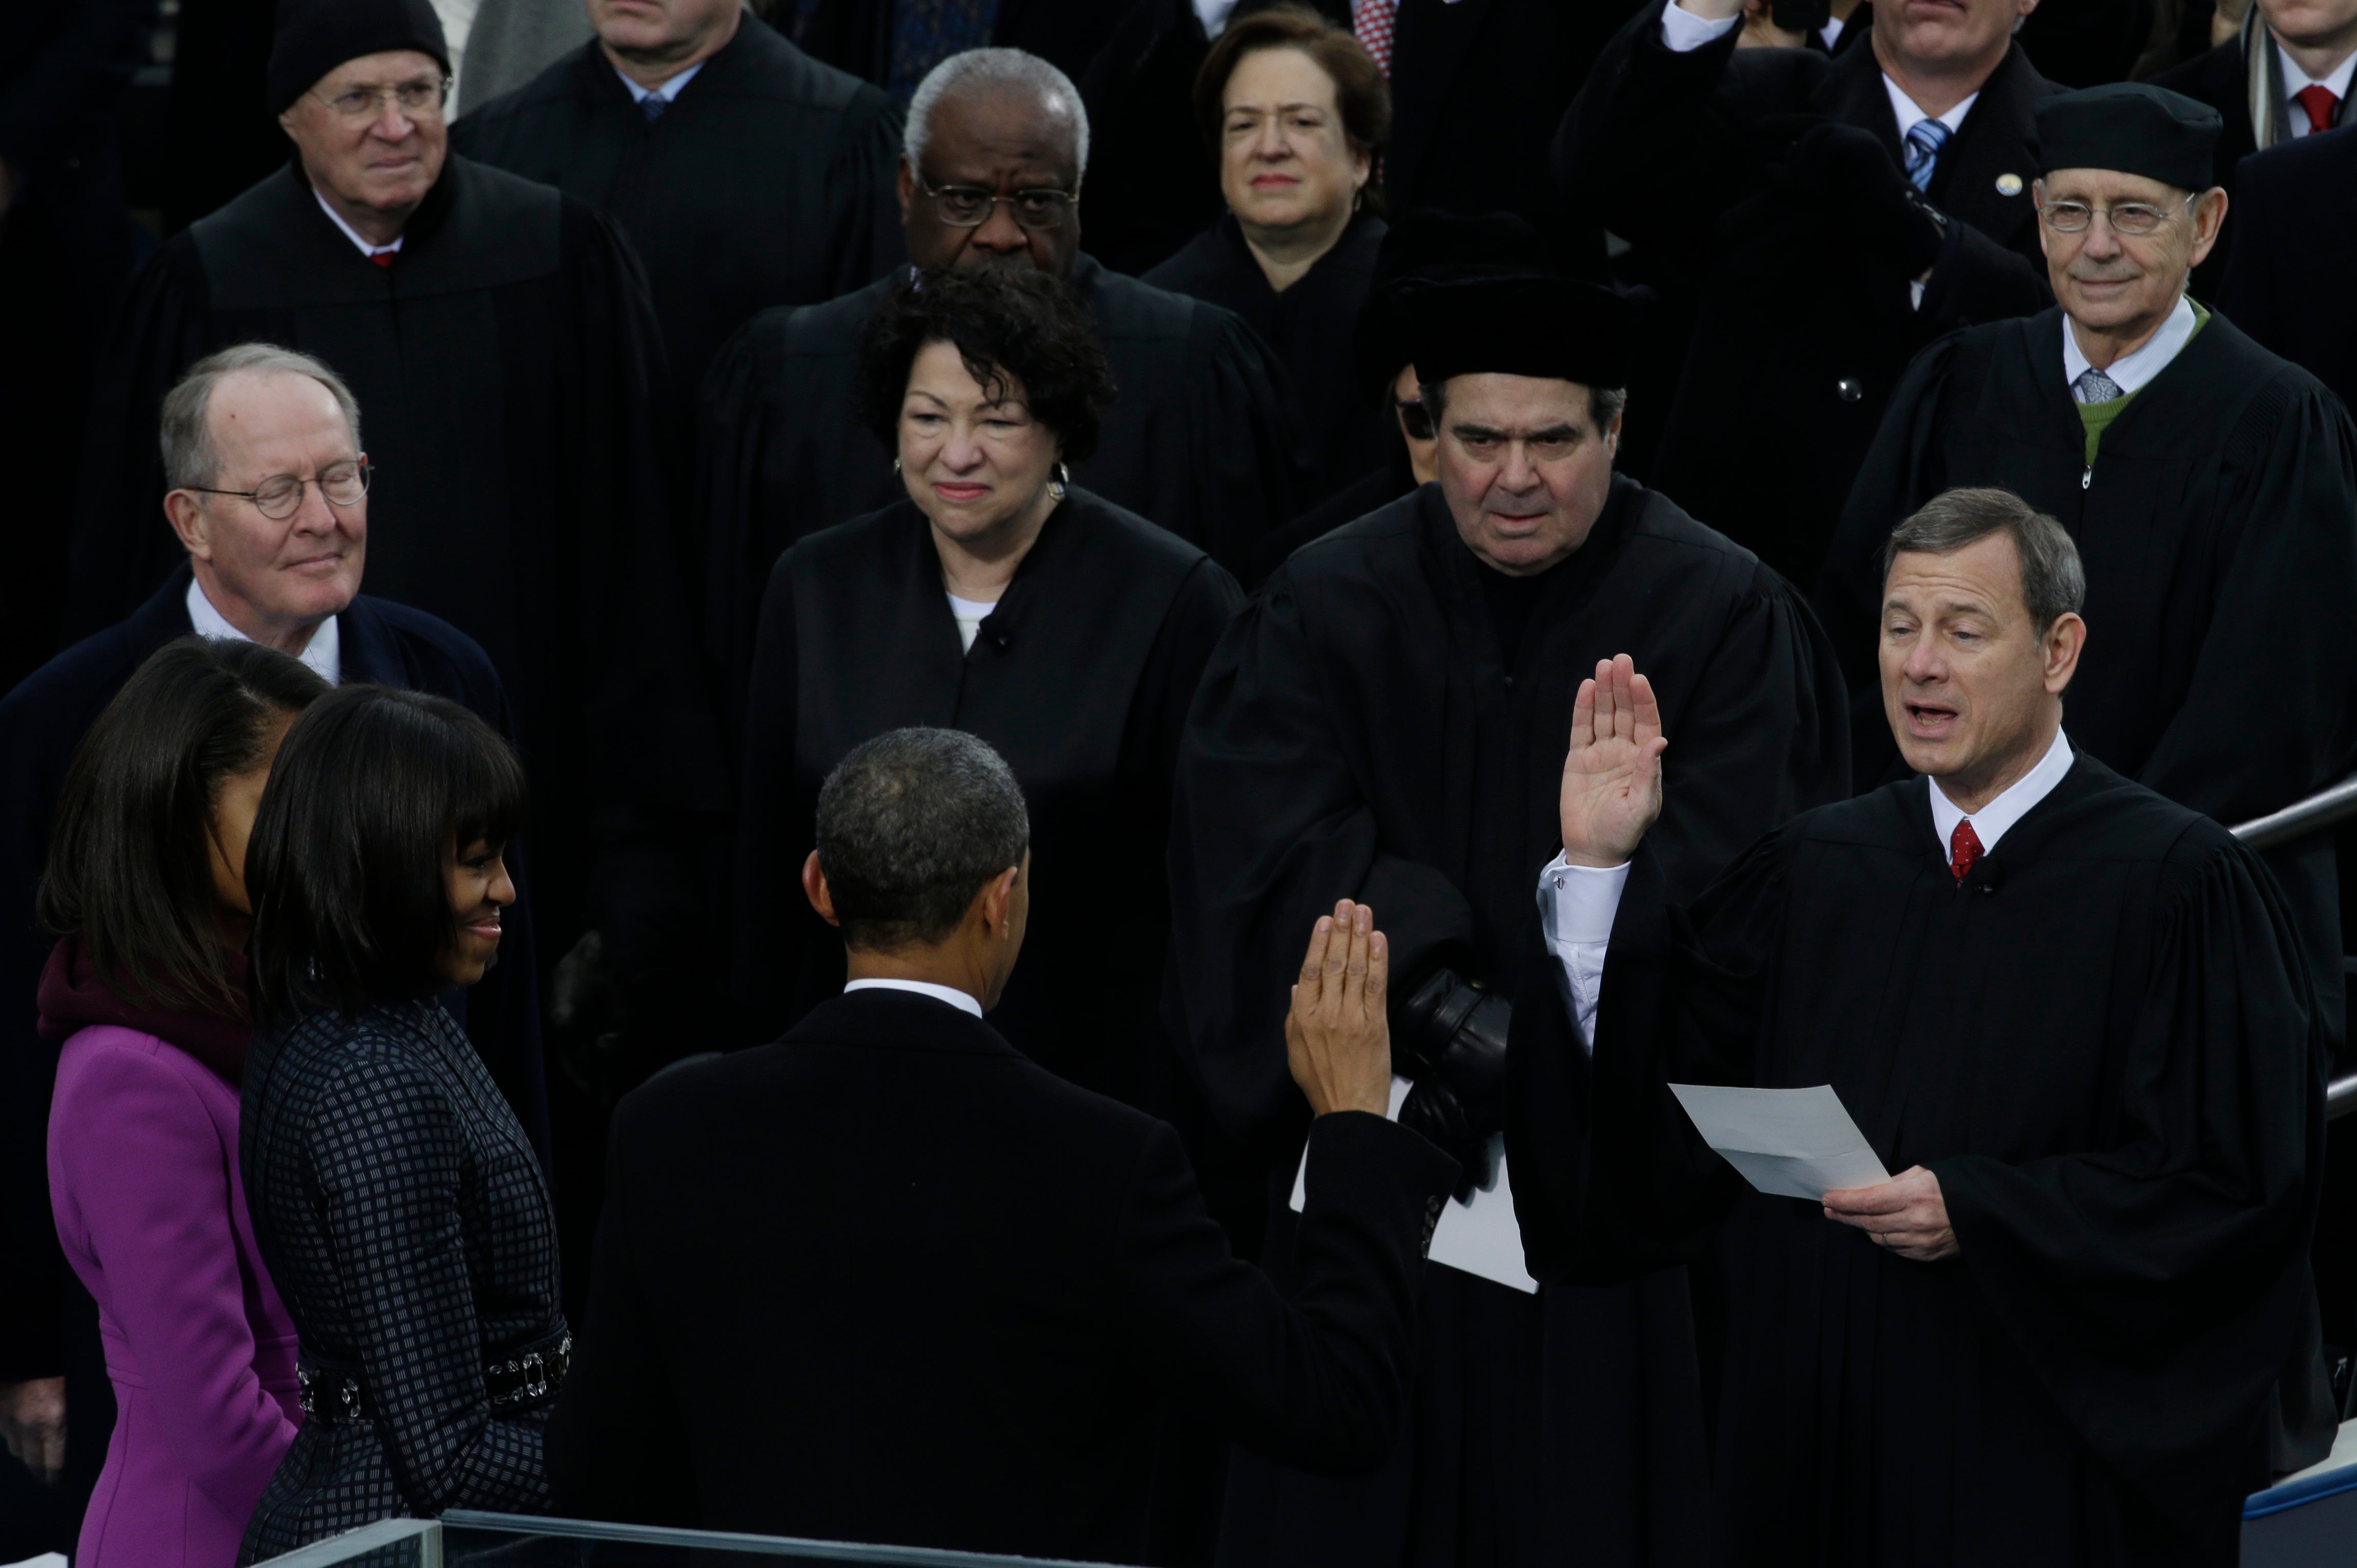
(392, 1192)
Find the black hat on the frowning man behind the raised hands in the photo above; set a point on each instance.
(1538, 327)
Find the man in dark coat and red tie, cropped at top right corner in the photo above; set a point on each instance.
(2285, 77)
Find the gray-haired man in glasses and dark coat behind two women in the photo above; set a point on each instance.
(270, 501)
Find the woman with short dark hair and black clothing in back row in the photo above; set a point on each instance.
(1295, 117)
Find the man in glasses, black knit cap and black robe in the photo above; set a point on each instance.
(503, 343)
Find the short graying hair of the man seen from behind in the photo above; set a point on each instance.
(911, 829)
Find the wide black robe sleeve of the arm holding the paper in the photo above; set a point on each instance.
(2163, 1286)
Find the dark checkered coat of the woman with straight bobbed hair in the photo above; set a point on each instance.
(409, 1227)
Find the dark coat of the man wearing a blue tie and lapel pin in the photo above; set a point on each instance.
(1797, 329)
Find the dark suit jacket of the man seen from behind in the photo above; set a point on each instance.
(890, 1282)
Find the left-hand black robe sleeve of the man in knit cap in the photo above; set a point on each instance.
(121, 541)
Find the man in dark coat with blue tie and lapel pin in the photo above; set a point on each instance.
(1814, 220)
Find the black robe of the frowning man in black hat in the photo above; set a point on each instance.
(1361, 737)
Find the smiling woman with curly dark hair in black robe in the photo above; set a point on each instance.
(1008, 602)
